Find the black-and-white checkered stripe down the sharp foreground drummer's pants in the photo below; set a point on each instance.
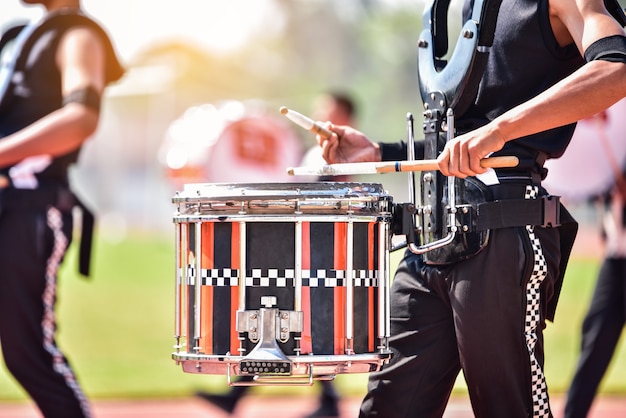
(541, 405)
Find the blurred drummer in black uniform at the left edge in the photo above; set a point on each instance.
(49, 106)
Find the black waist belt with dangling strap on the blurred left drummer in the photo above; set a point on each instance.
(61, 198)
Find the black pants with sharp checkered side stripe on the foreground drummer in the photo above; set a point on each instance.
(485, 316)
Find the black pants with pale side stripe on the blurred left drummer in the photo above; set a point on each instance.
(33, 243)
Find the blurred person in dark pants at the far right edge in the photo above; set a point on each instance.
(606, 317)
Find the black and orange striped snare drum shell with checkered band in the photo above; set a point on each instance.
(311, 231)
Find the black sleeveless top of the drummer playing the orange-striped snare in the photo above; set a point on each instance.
(525, 60)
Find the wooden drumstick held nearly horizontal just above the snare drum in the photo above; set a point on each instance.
(390, 167)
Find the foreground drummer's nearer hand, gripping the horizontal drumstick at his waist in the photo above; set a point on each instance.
(461, 155)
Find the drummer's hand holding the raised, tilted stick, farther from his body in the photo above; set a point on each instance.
(347, 145)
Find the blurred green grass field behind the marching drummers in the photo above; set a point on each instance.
(117, 328)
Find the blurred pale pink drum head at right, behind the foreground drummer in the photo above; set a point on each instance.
(586, 169)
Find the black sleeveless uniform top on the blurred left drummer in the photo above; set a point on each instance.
(35, 90)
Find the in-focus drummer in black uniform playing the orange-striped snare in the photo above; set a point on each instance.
(485, 314)
